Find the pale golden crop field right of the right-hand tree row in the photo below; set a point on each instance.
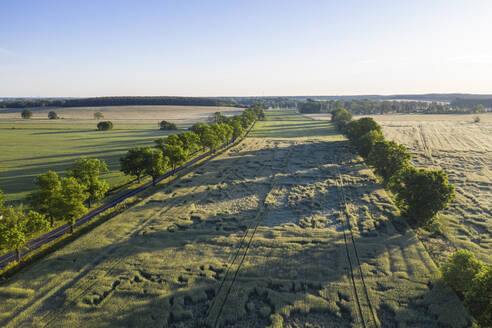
(463, 149)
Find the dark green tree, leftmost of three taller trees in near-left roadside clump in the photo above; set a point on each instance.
(45, 198)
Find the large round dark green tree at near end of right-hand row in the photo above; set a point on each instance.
(421, 193)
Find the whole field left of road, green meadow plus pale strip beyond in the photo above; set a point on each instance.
(30, 147)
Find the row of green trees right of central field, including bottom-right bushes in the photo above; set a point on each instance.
(421, 194)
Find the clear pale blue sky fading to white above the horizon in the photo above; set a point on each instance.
(73, 48)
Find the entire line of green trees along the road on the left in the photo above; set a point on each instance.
(68, 198)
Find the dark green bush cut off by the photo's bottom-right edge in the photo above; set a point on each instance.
(478, 299)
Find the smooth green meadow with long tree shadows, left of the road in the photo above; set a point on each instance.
(31, 147)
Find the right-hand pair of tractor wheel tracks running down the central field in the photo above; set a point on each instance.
(349, 241)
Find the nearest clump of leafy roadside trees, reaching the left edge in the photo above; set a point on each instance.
(57, 198)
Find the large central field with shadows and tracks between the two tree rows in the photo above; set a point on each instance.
(287, 229)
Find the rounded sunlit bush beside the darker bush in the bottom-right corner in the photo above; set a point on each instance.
(460, 269)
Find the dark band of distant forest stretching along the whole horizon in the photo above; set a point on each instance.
(359, 104)
